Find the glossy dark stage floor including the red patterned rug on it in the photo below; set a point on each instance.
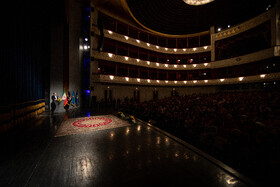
(104, 150)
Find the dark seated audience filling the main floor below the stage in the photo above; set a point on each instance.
(239, 128)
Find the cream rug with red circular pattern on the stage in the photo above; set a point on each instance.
(87, 124)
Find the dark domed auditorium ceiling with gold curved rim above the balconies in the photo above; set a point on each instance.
(174, 17)
